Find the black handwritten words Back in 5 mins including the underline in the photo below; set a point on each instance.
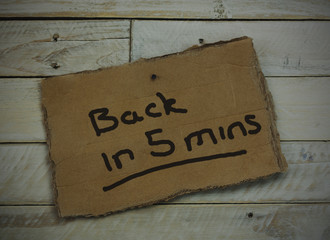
(102, 122)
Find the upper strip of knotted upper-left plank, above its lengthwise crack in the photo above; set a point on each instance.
(69, 30)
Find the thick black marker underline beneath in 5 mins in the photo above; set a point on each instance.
(173, 164)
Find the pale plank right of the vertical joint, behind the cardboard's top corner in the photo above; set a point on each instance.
(283, 48)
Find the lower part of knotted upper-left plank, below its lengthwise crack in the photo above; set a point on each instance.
(39, 58)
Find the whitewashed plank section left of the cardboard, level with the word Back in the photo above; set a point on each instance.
(20, 104)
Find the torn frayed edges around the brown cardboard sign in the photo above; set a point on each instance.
(270, 107)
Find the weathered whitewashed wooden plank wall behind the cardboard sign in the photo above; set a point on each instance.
(40, 39)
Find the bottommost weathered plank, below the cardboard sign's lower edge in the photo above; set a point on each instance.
(173, 222)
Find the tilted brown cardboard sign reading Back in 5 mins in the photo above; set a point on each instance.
(145, 132)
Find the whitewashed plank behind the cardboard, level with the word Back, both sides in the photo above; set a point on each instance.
(302, 106)
